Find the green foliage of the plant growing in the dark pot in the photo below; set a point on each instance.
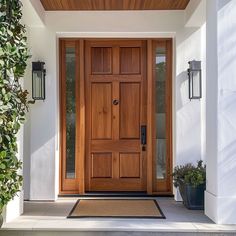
(190, 174)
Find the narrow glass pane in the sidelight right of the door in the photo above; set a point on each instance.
(160, 112)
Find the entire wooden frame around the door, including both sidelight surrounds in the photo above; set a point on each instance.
(78, 183)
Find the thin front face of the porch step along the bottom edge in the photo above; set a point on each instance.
(109, 233)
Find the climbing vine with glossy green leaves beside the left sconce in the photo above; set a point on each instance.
(13, 99)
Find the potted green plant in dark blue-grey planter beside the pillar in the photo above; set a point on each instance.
(191, 181)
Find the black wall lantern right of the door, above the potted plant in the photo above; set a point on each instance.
(195, 79)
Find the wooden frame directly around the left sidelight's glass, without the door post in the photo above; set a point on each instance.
(68, 184)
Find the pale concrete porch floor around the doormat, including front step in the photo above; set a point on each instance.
(49, 218)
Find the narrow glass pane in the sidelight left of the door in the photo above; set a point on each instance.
(70, 113)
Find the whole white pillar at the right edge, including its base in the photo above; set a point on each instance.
(220, 195)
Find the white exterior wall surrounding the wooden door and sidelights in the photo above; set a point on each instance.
(42, 126)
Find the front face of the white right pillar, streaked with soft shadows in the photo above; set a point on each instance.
(227, 108)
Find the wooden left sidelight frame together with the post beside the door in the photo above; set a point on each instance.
(72, 186)
